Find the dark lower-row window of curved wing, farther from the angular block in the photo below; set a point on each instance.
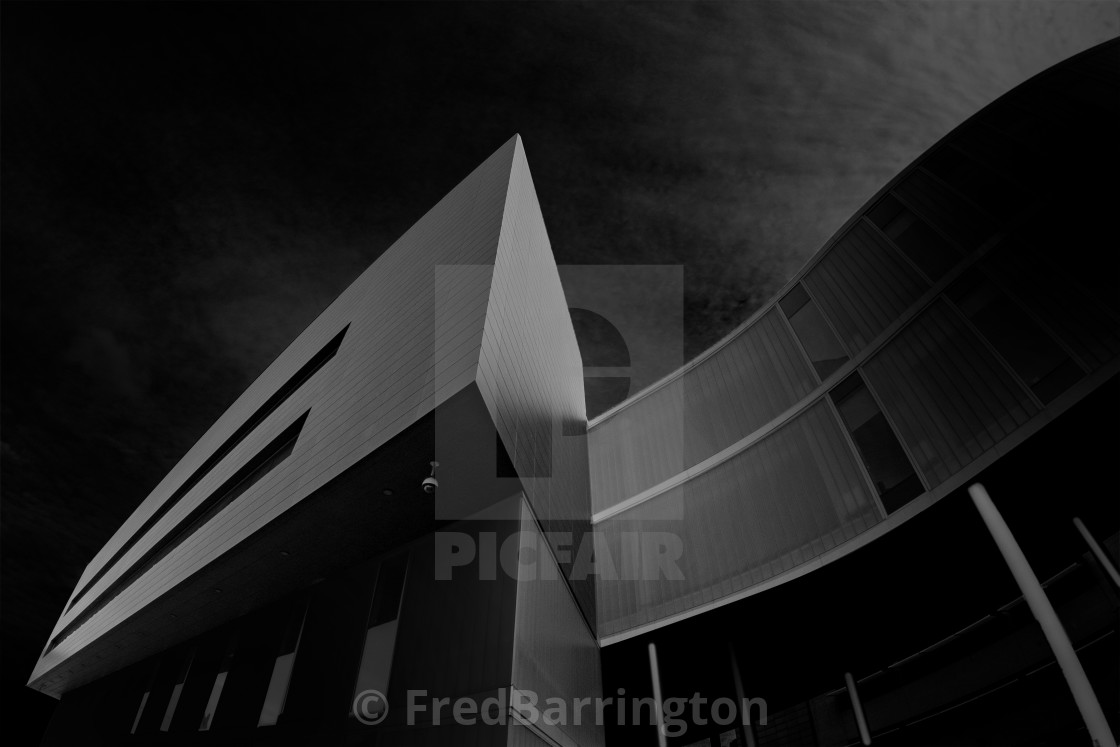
(1041, 362)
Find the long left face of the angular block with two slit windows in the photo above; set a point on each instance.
(359, 401)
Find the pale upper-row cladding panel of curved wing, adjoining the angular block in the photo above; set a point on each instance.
(745, 385)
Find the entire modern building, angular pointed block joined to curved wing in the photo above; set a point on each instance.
(785, 519)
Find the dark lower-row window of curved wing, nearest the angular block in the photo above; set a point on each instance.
(886, 462)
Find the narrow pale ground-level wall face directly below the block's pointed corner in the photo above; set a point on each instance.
(555, 653)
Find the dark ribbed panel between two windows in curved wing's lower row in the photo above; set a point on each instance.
(950, 397)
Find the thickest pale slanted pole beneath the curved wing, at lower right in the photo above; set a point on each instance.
(1044, 613)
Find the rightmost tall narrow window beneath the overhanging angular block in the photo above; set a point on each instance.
(381, 631)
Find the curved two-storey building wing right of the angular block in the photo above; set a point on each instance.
(965, 306)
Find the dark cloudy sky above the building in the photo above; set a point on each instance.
(186, 186)
